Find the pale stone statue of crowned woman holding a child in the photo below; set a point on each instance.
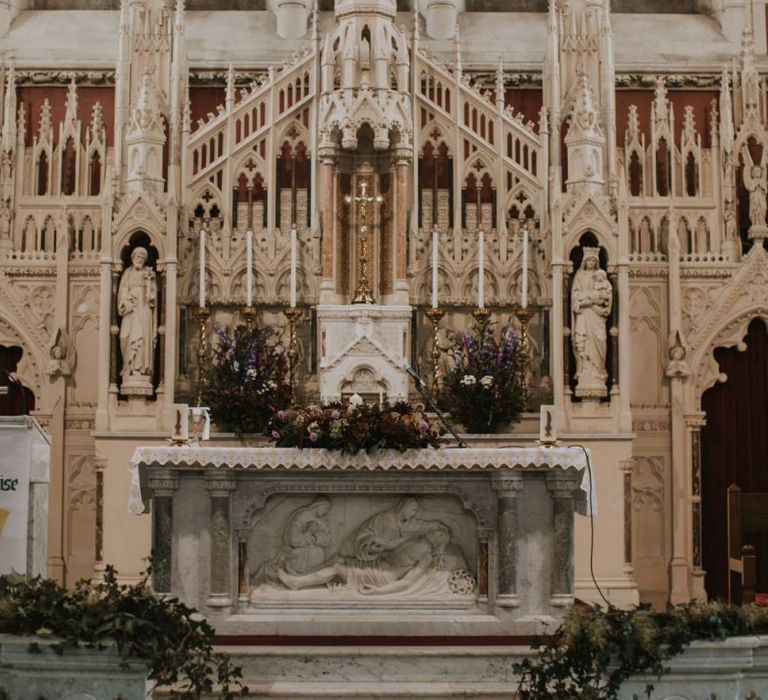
(591, 304)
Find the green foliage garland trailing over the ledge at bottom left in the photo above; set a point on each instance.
(172, 638)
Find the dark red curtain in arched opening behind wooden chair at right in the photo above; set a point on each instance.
(734, 447)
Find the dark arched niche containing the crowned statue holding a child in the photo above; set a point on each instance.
(592, 316)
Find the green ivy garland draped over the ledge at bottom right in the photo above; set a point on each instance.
(594, 651)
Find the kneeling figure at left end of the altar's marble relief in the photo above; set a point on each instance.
(307, 542)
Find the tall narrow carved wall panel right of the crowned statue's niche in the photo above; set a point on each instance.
(647, 345)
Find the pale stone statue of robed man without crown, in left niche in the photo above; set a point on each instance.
(136, 304)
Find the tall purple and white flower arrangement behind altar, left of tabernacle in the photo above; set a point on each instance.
(247, 382)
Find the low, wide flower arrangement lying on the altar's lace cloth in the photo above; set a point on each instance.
(353, 427)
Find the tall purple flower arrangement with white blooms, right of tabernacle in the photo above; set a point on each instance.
(482, 389)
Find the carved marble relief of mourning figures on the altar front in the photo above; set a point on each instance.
(370, 548)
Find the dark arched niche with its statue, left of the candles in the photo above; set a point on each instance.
(136, 308)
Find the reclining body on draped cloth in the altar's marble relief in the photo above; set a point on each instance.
(427, 563)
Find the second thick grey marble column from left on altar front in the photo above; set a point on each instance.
(220, 487)
